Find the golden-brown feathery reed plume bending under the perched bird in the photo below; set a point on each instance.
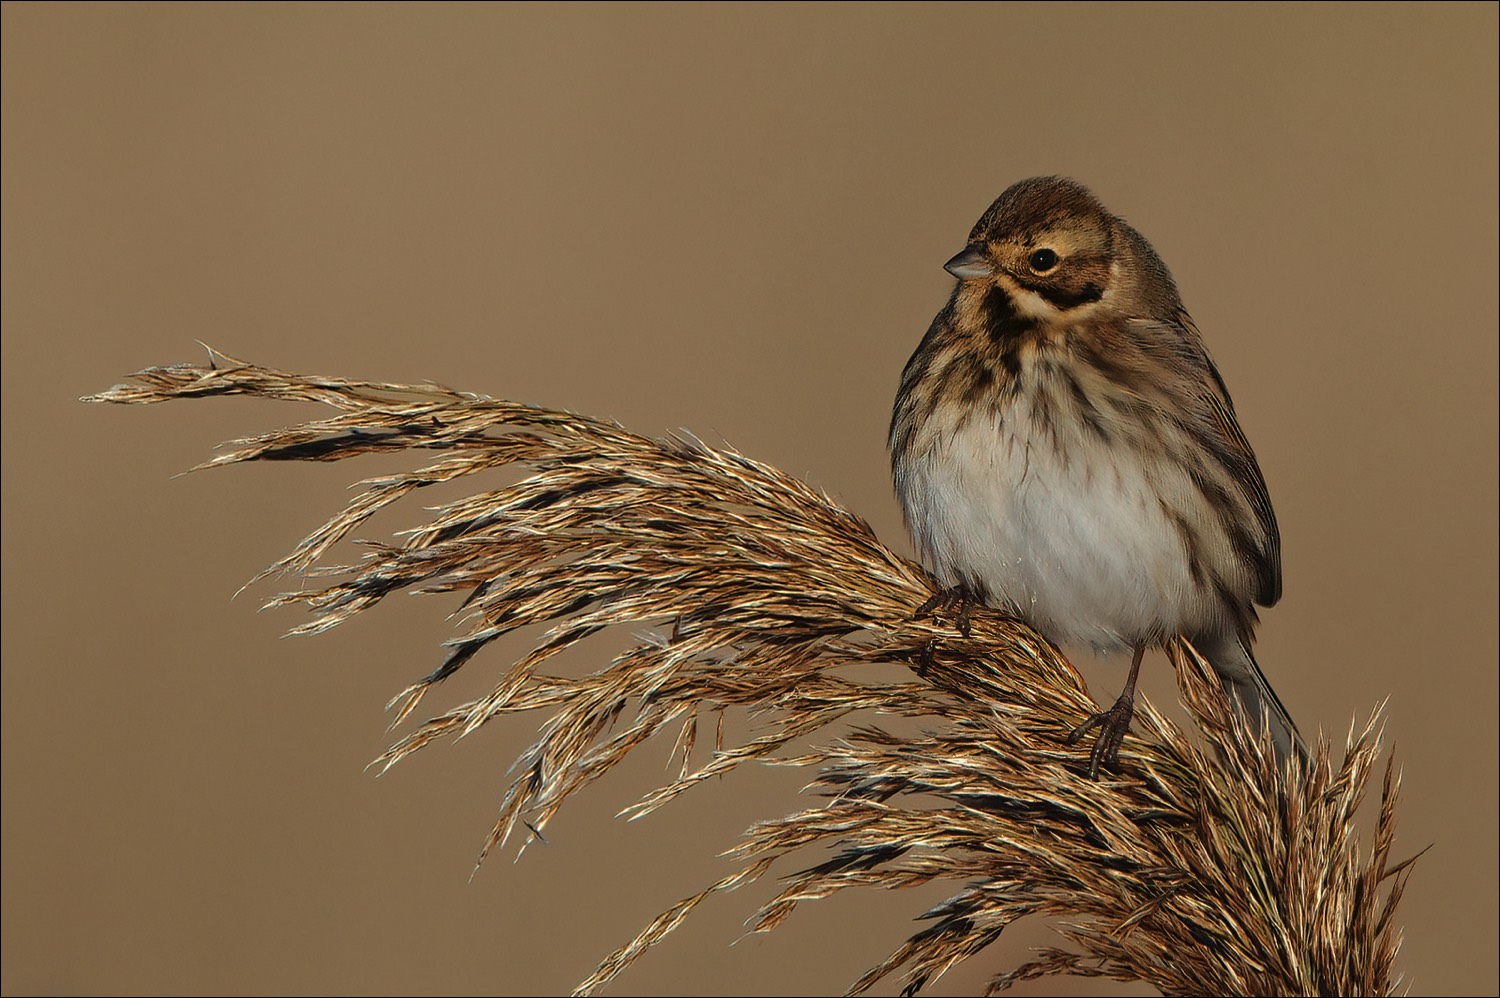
(1201, 870)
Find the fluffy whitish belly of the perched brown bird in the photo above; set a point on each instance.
(1081, 549)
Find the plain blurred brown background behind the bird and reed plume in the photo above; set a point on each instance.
(730, 220)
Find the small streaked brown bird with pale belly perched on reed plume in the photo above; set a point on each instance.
(1064, 449)
